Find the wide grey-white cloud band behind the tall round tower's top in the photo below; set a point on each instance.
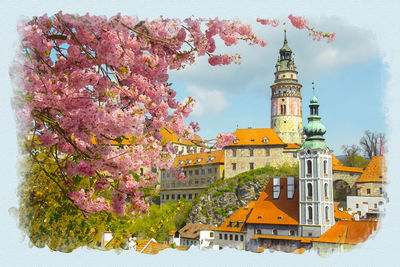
(353, 45)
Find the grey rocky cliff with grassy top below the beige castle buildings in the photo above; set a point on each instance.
(221, 199)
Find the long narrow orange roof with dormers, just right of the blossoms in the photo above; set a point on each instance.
(216, 156)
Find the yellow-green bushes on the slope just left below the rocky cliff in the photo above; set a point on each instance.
(161, 220)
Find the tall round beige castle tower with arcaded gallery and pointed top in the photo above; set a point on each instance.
(286, 111)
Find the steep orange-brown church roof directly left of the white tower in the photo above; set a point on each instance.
(276, 211)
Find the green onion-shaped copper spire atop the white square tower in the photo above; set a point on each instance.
(314, 128)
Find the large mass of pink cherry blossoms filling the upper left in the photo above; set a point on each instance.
(95, 89)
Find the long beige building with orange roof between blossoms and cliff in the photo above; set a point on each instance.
(202, 169)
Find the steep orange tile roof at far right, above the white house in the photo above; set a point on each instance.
(375, 171)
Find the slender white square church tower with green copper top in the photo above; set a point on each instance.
(316, 208)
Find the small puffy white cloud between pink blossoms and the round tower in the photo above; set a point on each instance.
(207, 101)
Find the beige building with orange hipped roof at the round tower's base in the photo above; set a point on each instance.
(256, 148)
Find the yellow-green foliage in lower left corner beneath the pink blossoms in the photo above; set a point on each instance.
(46, 215)
